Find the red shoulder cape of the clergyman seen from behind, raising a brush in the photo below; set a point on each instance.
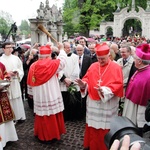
(41, 71)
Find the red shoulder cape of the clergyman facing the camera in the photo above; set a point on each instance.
(112, 79)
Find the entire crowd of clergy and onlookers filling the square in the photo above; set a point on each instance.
(95, 81)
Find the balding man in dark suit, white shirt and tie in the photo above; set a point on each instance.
(84, 60)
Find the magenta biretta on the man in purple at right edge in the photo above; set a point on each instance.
(143, 51)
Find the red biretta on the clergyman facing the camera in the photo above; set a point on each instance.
(102, 49)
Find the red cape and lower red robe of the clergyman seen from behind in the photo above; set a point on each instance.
(46, 127)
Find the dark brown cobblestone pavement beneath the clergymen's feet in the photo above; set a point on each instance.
(72, 140)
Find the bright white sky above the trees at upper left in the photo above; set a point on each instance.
(24, 9)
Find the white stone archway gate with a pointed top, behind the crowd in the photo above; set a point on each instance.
(122, 15)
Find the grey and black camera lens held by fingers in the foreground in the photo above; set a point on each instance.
(121, 126)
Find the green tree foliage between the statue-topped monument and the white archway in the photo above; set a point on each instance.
(83, 15)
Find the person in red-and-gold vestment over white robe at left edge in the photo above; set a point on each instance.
(7, 128)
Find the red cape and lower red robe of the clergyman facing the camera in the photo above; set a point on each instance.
(111, 77)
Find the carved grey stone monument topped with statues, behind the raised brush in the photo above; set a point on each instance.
(51, 18)
